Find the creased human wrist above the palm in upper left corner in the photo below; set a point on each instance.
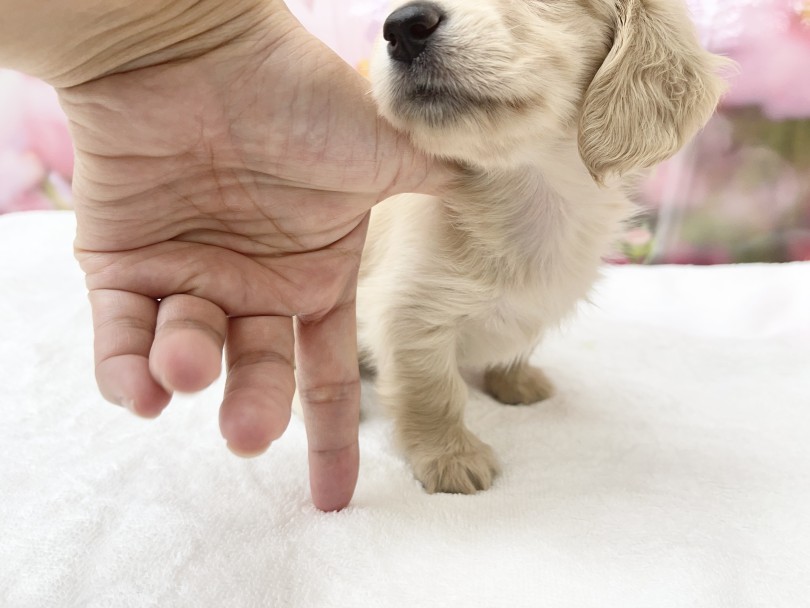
(77, 41)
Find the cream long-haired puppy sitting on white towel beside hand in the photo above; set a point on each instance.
(544, 106)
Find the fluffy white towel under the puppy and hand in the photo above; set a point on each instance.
(671, 470)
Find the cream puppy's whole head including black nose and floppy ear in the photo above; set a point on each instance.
(492, 82)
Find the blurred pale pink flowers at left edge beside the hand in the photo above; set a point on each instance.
(35, 148)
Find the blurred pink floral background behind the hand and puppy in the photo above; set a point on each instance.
(739, 193)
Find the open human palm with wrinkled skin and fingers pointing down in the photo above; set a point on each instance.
(222, 201)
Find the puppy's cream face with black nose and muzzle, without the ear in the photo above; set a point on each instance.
(492, 78)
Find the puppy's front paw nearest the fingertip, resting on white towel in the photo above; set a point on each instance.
(466, 469)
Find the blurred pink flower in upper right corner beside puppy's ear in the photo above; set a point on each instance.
(770, 40)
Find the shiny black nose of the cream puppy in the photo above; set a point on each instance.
(409, 28)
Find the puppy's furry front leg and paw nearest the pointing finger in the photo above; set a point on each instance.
(426, 395)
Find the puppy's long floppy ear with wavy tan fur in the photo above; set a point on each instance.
(655, 89)
